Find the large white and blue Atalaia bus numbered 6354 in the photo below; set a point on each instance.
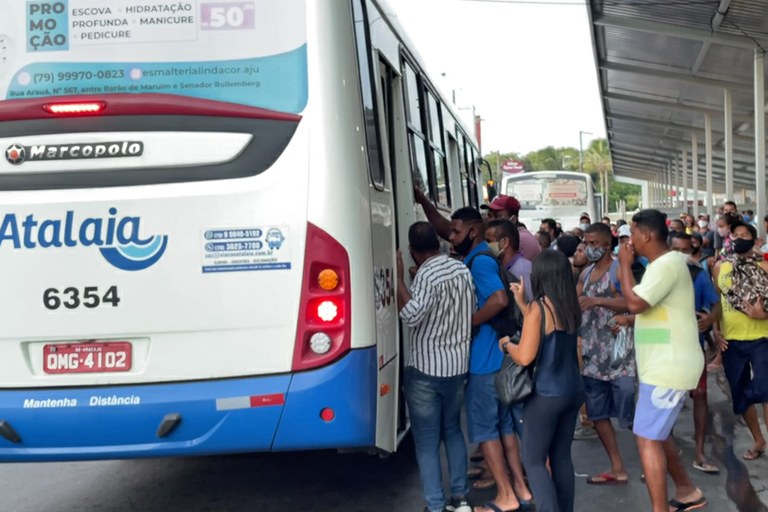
(200, 205)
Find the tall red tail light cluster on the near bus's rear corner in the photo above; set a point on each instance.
(323, 333)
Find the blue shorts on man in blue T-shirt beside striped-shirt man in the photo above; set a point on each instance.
(487, 419)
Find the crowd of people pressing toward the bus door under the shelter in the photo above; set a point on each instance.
(617, 321)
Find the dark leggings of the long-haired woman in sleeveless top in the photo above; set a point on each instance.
(549, 424)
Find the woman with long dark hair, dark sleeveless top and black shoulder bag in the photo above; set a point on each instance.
(550, 413)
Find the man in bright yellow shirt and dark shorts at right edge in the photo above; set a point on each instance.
(743, 335)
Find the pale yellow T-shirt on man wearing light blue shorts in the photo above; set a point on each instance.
(666, 334)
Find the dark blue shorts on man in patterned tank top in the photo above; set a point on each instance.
(607, 399)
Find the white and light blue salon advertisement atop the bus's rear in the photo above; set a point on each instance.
(251, 53)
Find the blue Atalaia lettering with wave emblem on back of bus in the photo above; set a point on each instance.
(117, 238)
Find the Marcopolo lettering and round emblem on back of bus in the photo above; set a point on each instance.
(17, 154)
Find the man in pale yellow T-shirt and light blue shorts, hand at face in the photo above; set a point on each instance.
(669, 358)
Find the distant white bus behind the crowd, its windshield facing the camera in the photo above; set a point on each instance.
(561, 195)
